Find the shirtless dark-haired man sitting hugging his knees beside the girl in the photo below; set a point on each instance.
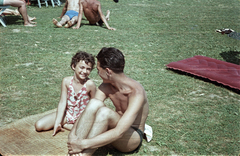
(122, 128)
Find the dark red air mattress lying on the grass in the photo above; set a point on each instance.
(215, 70)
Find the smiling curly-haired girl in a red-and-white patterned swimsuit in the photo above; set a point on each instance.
(76, 92)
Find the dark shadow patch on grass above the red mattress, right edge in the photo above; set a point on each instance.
(231, 56)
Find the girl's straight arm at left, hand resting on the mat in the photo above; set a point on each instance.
(61, 106)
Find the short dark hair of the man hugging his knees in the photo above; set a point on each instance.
(111, 58)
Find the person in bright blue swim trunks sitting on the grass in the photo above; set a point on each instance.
(69, 14)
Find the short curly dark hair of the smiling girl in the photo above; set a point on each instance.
(81, 55)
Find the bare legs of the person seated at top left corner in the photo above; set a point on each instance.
(21, 4)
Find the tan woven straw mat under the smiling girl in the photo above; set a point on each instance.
(20, 138)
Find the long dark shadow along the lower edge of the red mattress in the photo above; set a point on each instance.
(205, 80)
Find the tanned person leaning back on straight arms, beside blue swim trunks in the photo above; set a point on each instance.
(93, 12)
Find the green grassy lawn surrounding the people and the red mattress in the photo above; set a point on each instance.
(189, 115)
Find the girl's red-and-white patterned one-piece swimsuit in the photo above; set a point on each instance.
(76, 103)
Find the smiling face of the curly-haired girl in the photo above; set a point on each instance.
(82, 70)
